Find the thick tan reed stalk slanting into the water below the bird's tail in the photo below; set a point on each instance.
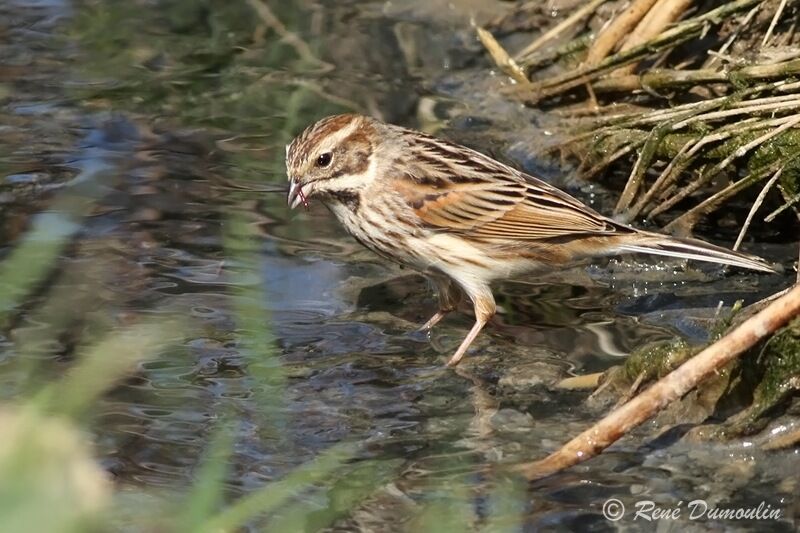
(668, 389)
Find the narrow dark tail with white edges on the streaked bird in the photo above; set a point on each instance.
(653, 243)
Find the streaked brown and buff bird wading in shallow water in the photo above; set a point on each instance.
(457, 216)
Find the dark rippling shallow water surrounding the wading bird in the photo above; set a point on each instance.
(173, 125)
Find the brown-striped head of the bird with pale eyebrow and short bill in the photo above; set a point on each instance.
(331, 159)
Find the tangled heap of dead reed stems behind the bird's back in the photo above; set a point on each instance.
(685, 94)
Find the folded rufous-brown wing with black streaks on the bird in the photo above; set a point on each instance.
(452, 188)
